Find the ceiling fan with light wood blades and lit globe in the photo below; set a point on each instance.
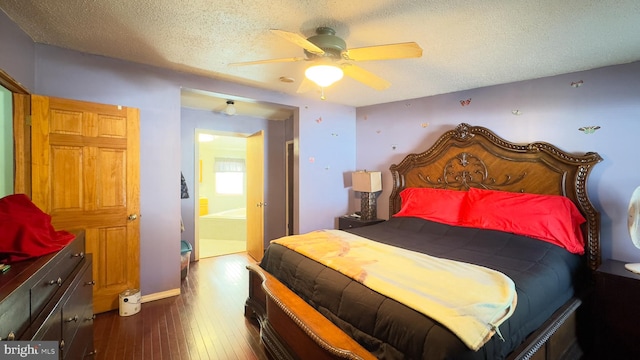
(331, 59)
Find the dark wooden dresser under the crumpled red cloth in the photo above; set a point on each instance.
(51, 298)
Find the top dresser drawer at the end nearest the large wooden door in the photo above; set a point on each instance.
(56, 273)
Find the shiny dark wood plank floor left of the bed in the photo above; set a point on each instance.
(205, 322)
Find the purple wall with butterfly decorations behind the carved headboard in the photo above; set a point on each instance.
(551, 110)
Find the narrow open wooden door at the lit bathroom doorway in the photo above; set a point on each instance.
(255, 195)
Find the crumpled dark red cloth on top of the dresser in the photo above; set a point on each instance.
(26, 231)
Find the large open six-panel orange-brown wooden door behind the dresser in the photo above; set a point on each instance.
(85, 174)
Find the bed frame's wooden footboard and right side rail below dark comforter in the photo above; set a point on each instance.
(291, 329)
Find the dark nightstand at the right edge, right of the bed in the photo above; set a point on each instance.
(617, 311)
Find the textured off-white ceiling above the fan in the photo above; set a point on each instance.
(467, 44)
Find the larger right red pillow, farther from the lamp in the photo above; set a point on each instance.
(551, 218)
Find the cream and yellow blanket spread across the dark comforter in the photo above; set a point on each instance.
(470, 300)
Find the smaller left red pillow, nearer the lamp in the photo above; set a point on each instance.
(438, 205)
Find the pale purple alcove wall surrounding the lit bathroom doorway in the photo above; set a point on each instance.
(274, 166)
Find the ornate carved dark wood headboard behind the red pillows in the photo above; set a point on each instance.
(473, 156)
